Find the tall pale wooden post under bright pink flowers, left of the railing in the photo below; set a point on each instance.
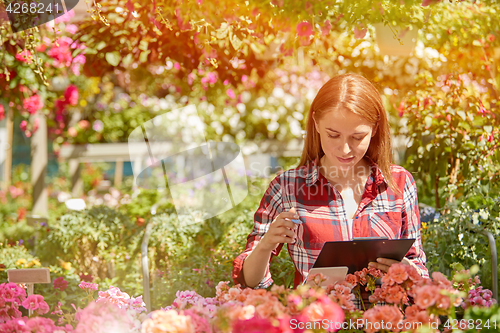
(39, 160)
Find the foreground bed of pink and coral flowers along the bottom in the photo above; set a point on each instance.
(411, 304)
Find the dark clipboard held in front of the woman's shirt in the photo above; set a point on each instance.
(356, 254)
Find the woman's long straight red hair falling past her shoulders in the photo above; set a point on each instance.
(354, 93)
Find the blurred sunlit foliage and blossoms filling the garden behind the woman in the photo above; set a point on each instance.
(252, 68)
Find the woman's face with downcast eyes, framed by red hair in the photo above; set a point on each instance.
(345, 138)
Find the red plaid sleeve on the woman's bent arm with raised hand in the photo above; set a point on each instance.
(270, 207)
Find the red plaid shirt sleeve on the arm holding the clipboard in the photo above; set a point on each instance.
(411, 226)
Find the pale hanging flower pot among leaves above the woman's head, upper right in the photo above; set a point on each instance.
(389, 45)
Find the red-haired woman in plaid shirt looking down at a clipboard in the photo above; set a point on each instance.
(344, 187)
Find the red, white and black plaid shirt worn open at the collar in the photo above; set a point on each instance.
(382, 212)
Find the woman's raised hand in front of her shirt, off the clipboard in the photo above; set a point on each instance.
(282, 230)
